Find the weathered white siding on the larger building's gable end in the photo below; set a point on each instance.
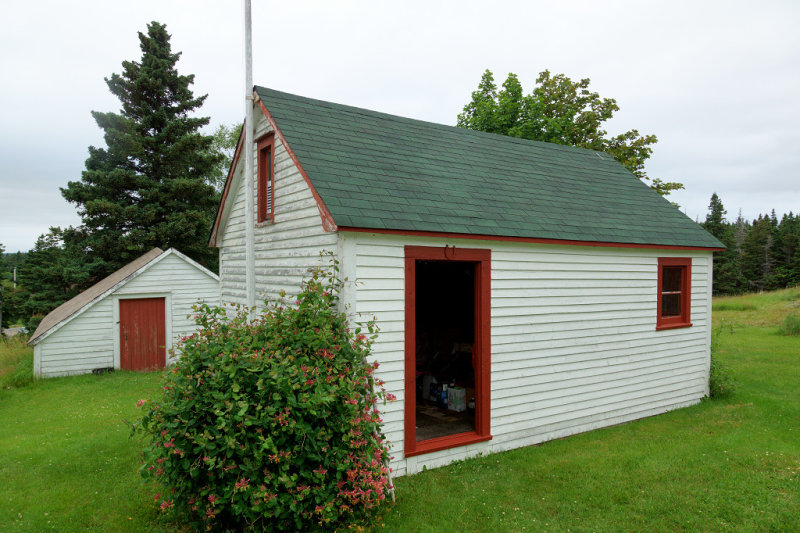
(285, 248)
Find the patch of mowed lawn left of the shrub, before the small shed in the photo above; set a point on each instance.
(66, 460)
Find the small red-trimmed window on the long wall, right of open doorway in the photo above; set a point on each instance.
(674, 292)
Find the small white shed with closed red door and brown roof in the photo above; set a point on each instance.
(128, 320)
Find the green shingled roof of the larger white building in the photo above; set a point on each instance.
(379, 171)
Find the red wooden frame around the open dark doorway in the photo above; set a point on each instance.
(481, 357)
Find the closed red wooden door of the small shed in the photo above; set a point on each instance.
(142, 335)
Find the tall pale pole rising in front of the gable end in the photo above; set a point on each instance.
(250, 257)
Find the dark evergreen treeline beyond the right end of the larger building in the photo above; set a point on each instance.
(760, 255)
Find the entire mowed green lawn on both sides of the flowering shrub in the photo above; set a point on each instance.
(68, 464)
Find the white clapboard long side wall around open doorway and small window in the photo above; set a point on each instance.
(574, 344)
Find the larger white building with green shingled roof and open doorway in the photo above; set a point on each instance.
(548, 287)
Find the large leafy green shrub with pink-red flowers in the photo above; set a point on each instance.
(273, 423)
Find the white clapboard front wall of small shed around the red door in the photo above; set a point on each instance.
(89, 339)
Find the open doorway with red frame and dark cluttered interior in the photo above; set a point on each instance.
(447, 347)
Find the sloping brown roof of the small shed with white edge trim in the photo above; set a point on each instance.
(73, 307)
